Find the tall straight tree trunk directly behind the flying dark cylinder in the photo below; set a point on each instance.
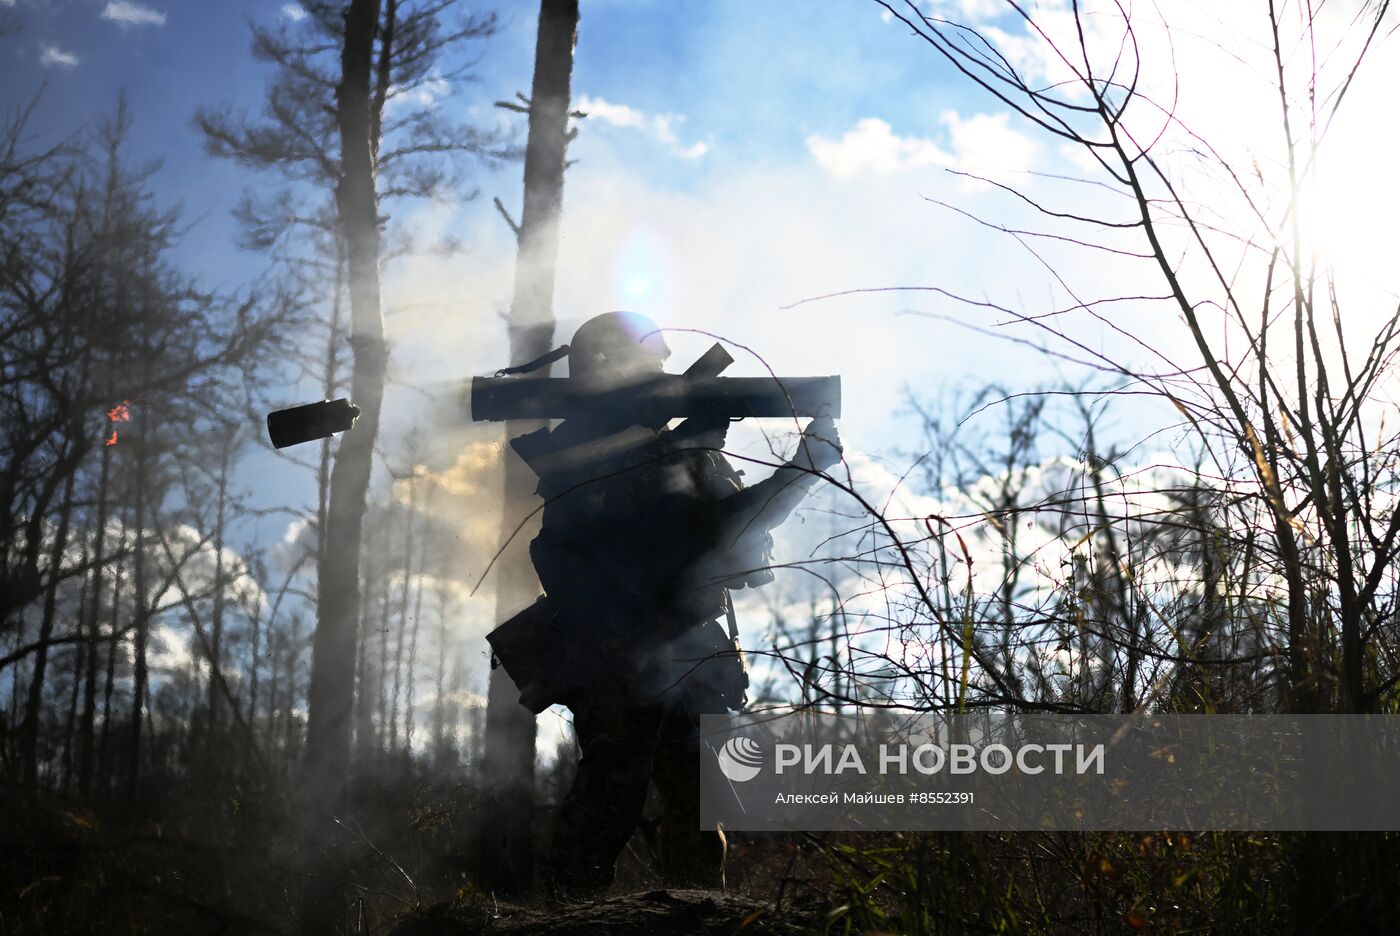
(331, 696)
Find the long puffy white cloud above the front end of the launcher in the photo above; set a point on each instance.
(981, 143)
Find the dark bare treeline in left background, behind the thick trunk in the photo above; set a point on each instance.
(155, 650)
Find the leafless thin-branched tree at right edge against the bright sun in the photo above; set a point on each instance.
(1287, 387)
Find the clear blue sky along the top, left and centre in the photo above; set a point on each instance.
(751, 80)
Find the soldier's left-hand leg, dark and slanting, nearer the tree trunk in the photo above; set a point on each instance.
(604, 805)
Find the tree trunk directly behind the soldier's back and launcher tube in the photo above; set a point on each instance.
(506, 847)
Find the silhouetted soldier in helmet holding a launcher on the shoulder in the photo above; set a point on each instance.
(643, 535)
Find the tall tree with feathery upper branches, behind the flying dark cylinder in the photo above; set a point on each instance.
(328, 127)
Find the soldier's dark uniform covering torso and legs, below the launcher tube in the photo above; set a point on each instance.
(636, 552)
